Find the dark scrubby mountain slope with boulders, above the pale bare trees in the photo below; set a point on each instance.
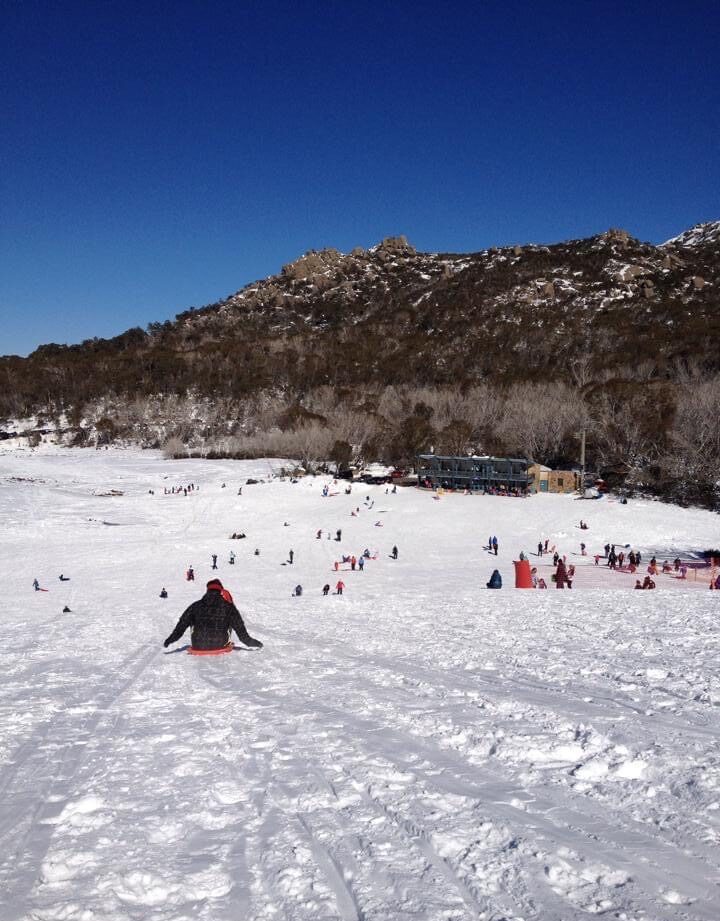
(408, 322)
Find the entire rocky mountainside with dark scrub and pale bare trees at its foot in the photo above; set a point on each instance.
(387, 351)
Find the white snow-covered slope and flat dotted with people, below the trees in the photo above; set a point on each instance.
(419, 748)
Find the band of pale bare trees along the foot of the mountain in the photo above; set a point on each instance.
(644, 431)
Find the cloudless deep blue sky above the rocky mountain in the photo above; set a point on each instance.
(159, 155)
